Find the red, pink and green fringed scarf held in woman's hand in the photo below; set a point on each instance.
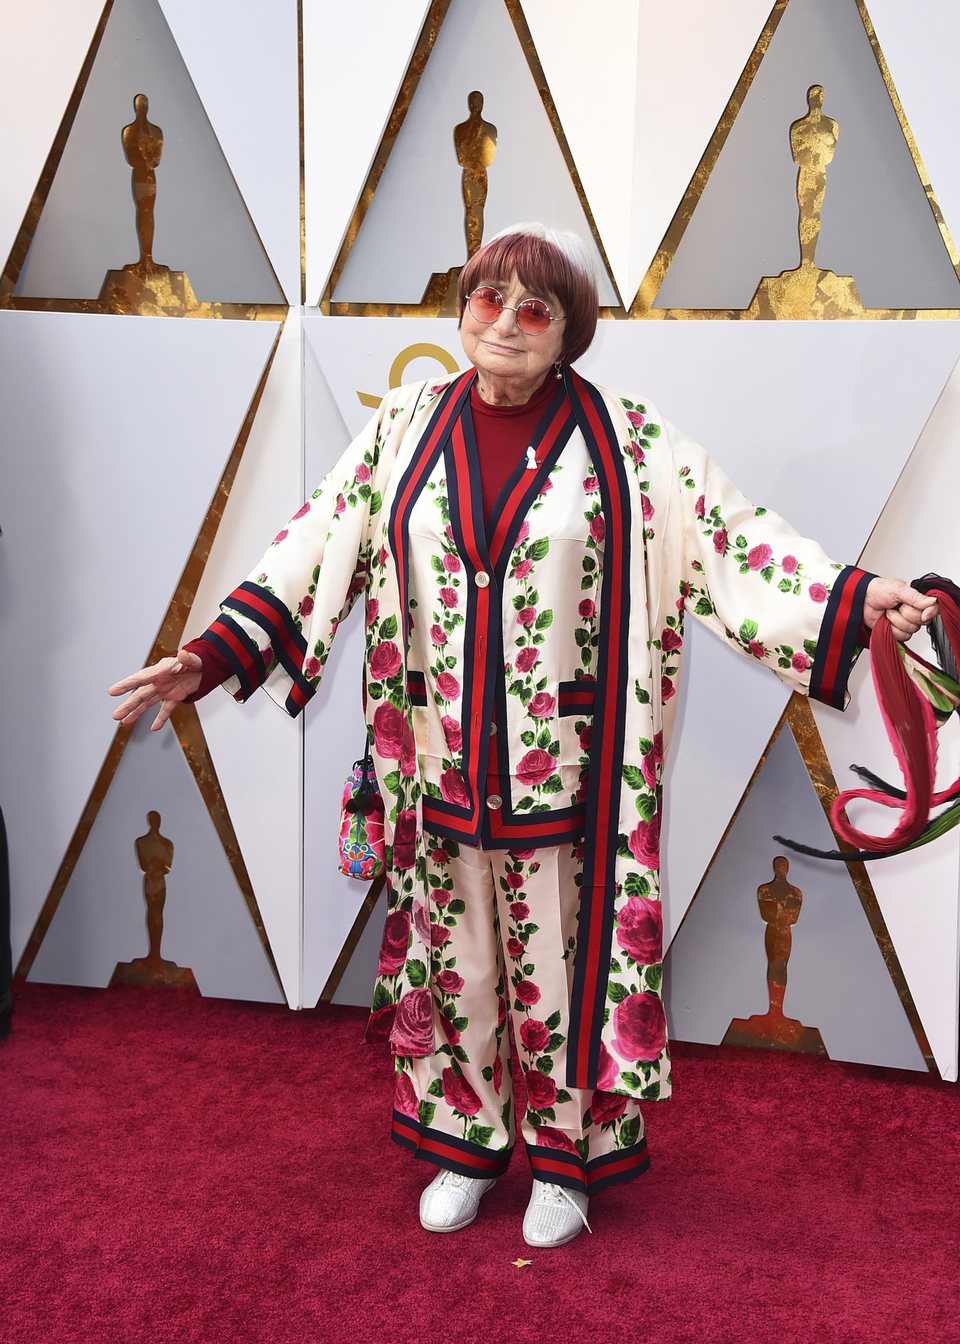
(916, 700)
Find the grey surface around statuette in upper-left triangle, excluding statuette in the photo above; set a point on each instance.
(88, 222)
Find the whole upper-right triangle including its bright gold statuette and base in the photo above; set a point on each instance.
(819, 150)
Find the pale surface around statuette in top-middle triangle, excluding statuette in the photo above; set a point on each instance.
(415, 225)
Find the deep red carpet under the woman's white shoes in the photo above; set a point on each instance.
(188, 1170)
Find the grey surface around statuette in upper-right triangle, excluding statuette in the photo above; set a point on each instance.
(877, 224)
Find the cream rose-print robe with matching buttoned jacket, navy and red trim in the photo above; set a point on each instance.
(521, 679)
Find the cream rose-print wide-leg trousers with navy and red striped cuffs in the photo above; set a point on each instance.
(504, 936)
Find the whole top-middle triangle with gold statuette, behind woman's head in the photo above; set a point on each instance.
(473, 146)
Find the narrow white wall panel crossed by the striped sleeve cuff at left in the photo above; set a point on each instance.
(257, 748)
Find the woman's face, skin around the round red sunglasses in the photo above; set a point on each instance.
(501, 350)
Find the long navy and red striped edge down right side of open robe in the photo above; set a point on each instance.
(607, 745)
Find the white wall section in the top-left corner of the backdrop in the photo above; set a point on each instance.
(40, 76)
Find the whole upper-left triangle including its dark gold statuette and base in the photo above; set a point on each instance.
(142, 212)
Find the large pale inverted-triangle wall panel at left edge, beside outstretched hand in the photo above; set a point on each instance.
(103, 495)
